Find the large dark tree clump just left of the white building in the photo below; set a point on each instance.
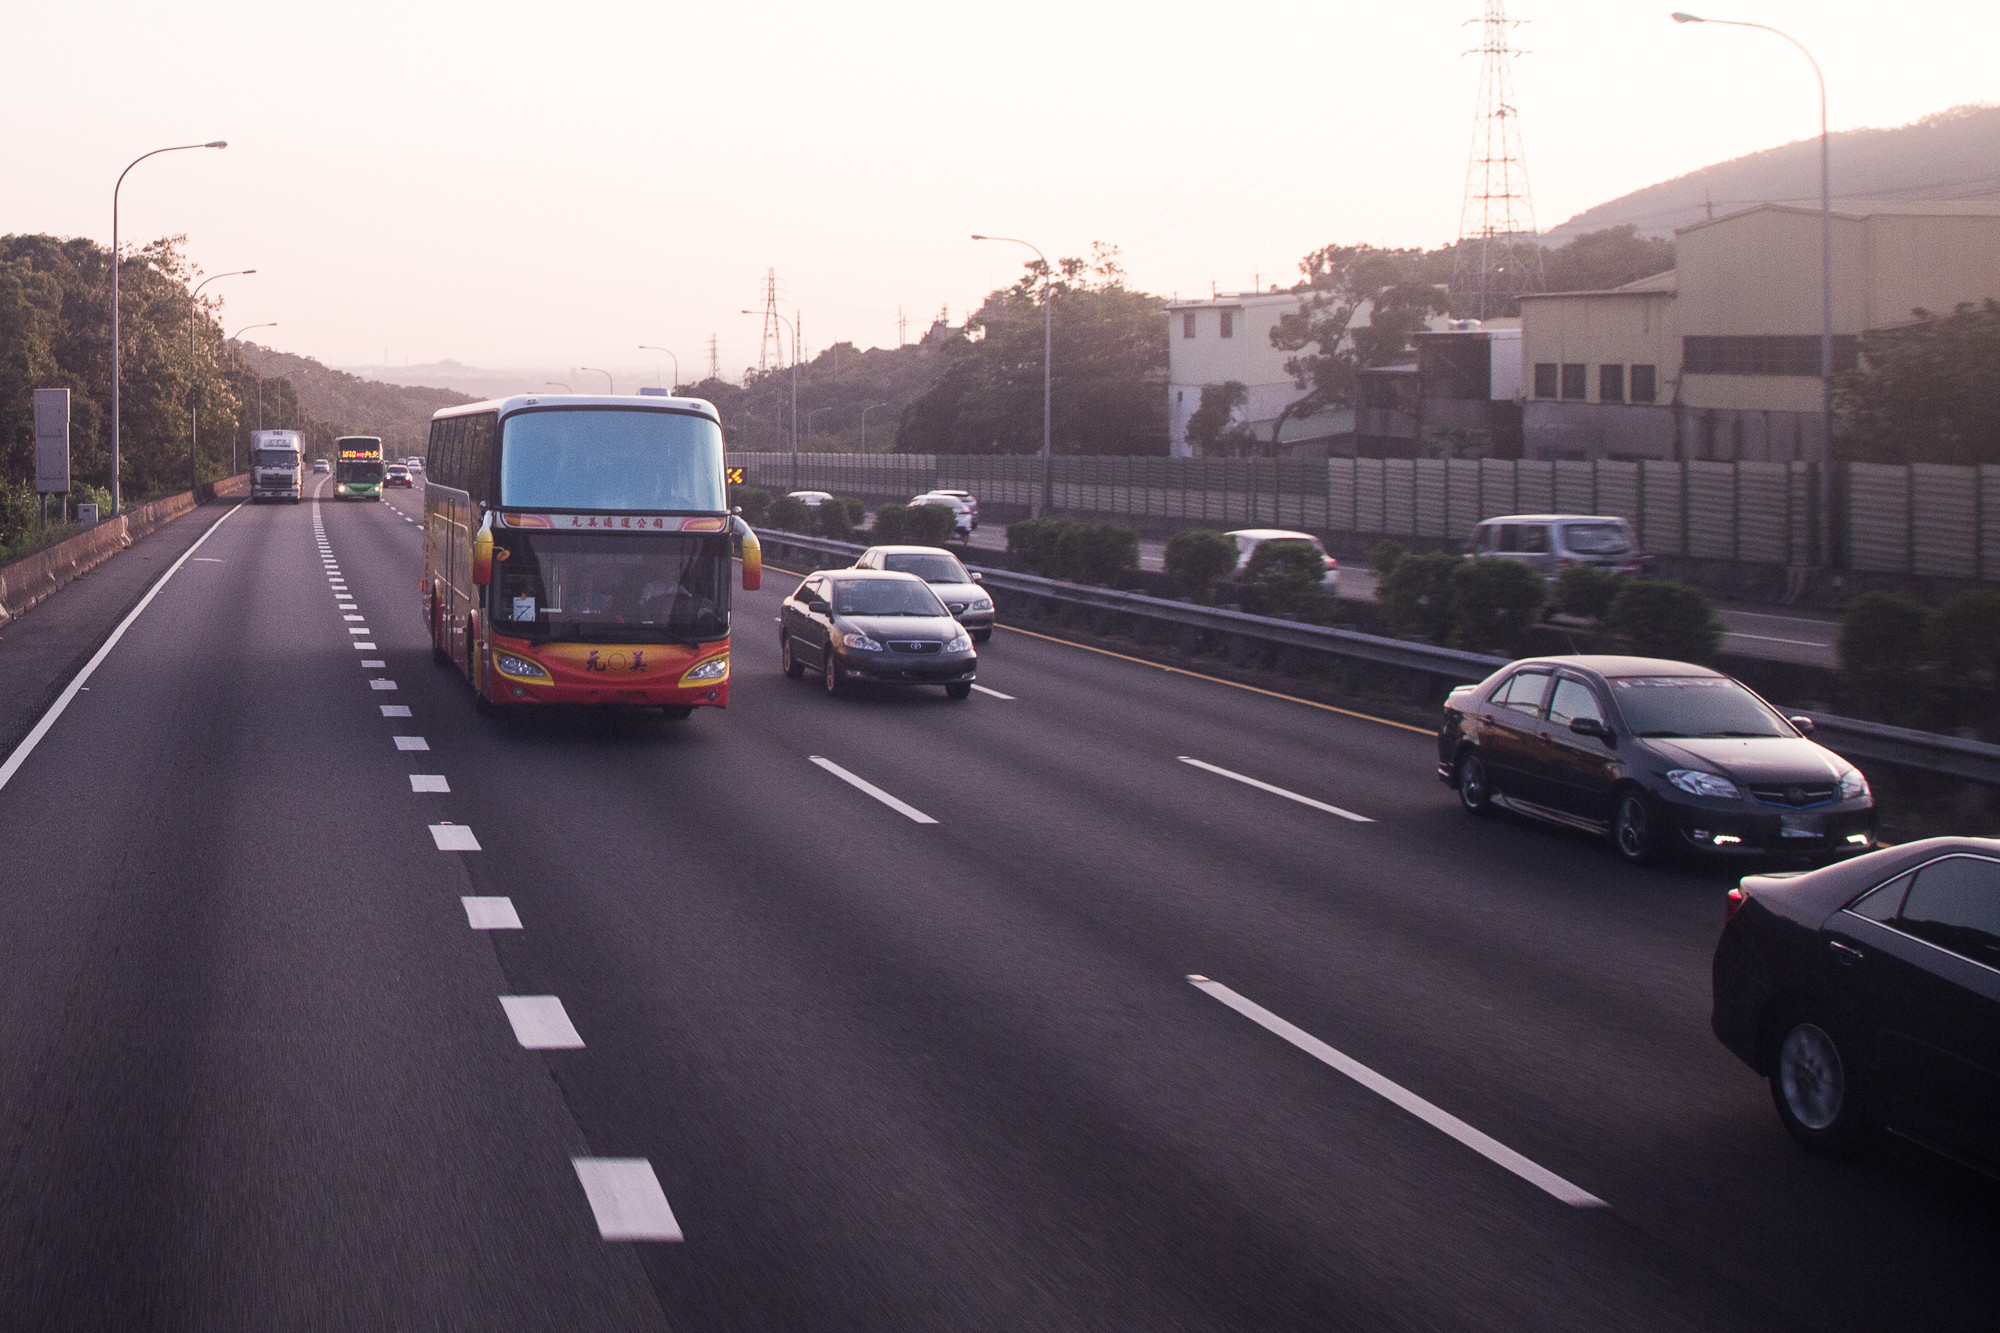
(1107, 381)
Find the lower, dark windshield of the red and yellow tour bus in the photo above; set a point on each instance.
(597, 587)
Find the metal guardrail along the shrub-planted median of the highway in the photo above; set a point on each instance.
(1845, 736)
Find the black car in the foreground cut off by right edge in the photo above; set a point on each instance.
(1869, 994)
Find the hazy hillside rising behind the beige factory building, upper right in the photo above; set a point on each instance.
(1945, 157)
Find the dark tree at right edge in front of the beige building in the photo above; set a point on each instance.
(1927, 391)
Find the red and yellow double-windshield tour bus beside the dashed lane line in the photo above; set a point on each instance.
(577, 549)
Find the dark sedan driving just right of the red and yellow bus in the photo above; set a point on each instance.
(875, 625)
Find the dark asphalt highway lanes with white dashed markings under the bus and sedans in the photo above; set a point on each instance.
(1107, 1000)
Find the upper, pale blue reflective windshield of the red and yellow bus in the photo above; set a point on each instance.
(621, 459)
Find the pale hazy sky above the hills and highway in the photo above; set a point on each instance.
(555, 185)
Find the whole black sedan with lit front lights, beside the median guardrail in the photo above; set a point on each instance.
(1657, 756)
